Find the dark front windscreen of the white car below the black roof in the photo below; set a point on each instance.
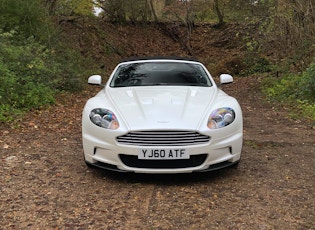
(160, 73)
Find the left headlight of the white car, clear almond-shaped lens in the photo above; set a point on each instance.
(104, 118)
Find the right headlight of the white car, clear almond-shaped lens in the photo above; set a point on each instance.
(221, 117)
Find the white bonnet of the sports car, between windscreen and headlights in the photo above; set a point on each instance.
(170, 107)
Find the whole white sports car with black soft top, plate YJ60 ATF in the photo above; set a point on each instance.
(161, 115)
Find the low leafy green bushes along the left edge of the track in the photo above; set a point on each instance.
(31, 74)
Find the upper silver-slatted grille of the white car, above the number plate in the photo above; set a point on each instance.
(163, 138)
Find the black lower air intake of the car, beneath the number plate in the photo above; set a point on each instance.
(133, 161)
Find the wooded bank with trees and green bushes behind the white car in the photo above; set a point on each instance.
(39, 60)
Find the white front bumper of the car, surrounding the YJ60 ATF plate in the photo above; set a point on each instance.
(217, 154)
